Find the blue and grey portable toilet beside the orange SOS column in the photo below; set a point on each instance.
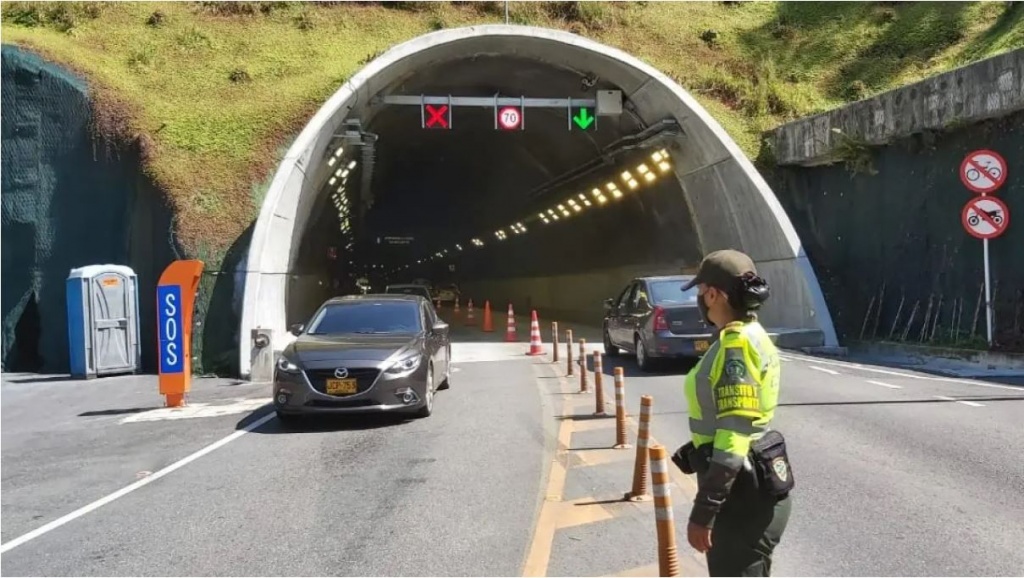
(103, 321)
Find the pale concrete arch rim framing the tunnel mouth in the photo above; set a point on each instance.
(732, 204)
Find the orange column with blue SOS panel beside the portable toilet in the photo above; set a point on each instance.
(176, 300)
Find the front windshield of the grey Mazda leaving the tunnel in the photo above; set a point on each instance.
(368, 318)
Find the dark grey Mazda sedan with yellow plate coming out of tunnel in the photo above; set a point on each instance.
(365, 354)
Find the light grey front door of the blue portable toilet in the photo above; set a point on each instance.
(113, 300)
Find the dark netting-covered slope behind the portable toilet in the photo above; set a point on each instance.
(67, 202)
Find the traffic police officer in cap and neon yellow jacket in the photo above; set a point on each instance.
(744, 477)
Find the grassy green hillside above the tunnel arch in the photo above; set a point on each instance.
(216, 91)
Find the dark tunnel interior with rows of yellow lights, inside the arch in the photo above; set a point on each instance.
(476, 202)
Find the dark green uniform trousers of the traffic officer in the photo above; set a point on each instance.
(746, 533)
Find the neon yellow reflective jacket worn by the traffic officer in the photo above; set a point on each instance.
(734, 391)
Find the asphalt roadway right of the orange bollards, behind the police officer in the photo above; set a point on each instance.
(899, 474)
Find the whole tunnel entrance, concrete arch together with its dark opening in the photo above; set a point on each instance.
(407, 173)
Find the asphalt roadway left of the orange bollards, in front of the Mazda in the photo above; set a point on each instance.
(452, 496)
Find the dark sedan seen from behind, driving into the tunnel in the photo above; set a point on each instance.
(655, 318)
